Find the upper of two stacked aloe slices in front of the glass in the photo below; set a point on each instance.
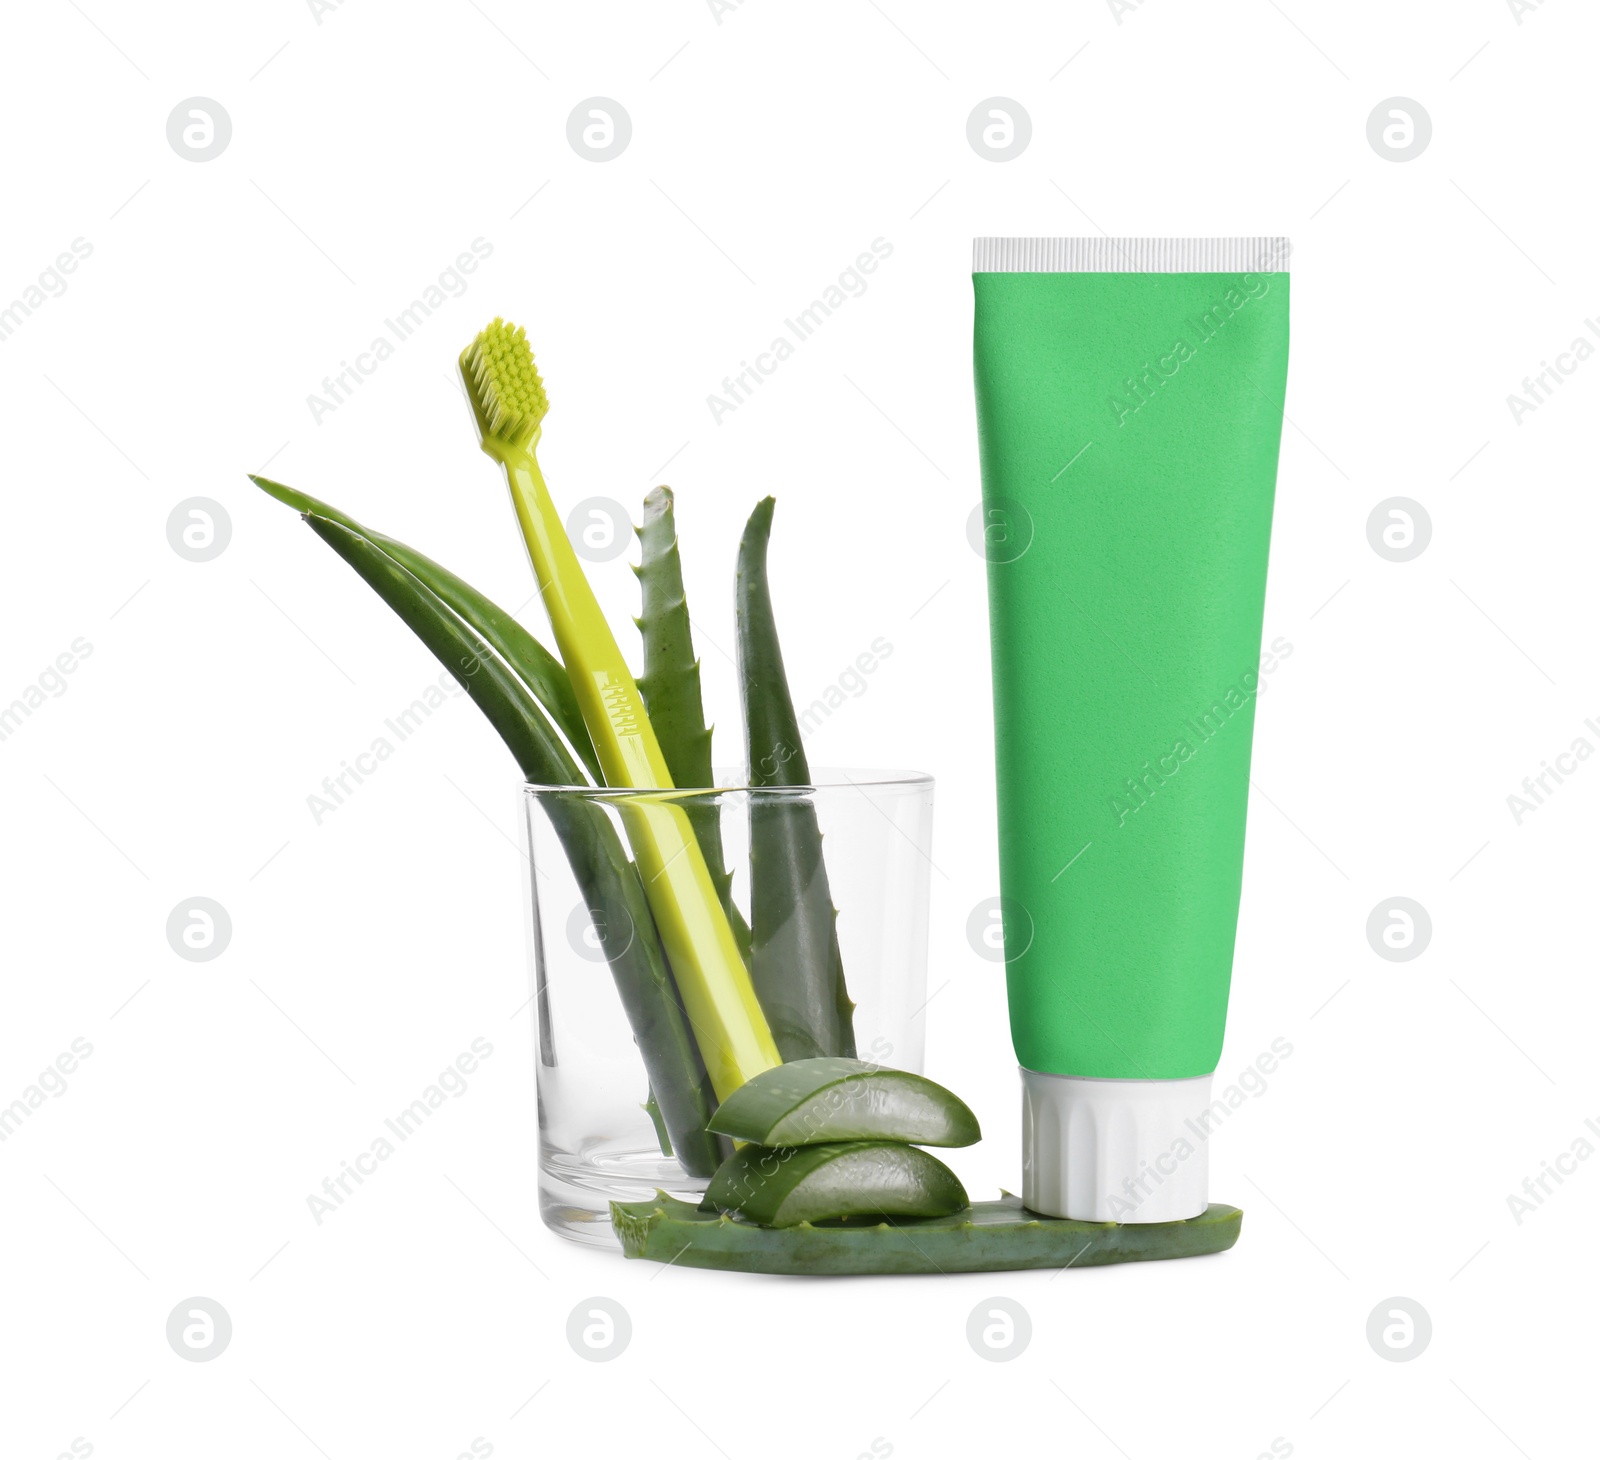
(831, 1099)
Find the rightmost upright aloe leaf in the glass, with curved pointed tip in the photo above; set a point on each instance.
(794, 942)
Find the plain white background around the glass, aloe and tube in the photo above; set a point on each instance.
(770, 148)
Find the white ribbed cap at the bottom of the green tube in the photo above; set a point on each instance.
(1114, 1150)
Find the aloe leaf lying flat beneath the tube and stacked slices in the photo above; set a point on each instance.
(999, 1237)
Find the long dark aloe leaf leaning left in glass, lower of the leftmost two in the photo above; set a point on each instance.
(593, 848)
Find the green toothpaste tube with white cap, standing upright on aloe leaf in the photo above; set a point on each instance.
(1130, 403)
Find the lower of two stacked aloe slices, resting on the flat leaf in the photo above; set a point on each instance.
(788, 1185)
